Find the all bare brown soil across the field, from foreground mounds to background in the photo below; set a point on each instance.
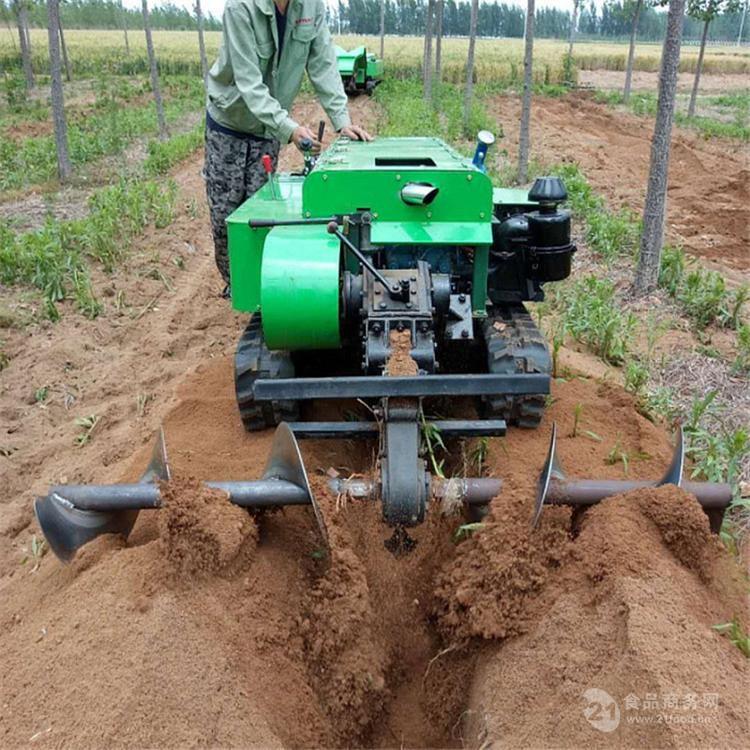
(225, 631)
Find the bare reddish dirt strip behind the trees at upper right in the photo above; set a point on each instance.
(708, 180)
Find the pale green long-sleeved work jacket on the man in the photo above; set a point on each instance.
(251, 90)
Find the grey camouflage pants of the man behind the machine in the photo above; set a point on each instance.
(234, 171)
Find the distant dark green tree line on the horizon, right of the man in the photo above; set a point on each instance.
(613, 20)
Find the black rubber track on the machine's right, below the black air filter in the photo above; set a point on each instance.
(515, 345)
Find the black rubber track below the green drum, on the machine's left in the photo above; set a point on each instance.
(254, 360)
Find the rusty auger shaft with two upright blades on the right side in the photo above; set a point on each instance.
(554, 488)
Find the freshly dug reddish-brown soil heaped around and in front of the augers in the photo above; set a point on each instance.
(207, 629)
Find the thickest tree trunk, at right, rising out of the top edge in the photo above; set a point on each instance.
(654, 209)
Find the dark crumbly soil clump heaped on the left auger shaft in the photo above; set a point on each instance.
(200, 531)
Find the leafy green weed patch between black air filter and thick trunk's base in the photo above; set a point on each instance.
(594, 317)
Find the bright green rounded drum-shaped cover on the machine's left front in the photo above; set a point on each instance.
(299, 288)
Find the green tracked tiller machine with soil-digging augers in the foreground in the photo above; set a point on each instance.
(392, 273)
